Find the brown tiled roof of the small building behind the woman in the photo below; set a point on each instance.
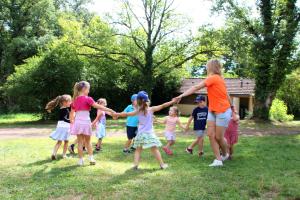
(235, 86)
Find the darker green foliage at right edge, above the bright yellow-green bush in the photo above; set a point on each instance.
(289, 92)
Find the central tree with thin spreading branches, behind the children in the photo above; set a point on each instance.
(144, 37)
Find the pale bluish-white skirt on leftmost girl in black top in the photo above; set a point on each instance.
(62, 131)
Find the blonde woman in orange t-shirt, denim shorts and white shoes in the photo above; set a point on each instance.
(220, 109)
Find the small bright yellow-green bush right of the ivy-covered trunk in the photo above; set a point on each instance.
(278, 111)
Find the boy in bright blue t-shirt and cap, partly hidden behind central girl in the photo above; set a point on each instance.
(131, 124)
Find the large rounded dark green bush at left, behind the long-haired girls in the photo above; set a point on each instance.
(43, 77)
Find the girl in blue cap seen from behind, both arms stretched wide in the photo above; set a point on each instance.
(146, 137)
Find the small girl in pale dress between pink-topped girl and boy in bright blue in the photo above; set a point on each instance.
(99, 123)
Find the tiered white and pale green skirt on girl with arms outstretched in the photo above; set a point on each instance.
(146, 140)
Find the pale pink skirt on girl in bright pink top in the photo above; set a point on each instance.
(82, 124)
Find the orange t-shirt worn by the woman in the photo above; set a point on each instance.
(217, 94)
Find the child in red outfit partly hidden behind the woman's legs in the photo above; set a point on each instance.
(231, 133)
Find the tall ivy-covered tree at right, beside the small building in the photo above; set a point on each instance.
(273, 40)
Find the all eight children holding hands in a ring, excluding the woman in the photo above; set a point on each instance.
(74, 119)
